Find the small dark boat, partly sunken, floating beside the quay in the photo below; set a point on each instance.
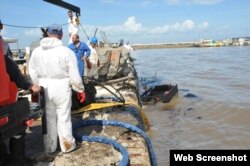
(164, 93)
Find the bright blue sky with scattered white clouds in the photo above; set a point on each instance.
(136, 21)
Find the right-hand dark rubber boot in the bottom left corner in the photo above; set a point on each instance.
(17, 150)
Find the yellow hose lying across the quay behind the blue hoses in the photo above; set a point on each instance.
(98, 106)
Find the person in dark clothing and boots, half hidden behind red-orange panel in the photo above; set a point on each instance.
(17, 142)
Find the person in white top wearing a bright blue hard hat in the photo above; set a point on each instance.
(93, 58)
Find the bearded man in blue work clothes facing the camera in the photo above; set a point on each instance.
(82, 53)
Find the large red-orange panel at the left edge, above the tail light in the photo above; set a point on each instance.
(8, 92)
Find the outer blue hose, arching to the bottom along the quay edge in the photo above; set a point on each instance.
(152, 155)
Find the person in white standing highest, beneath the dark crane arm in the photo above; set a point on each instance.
(73, 22)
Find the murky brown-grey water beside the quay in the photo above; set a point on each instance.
(219, 117)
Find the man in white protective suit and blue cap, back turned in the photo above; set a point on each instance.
(54, 67)
